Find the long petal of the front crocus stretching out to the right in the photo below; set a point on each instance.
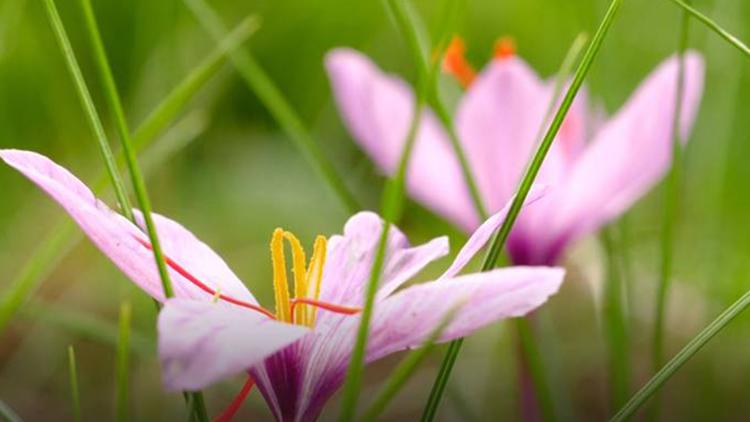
(408, 318)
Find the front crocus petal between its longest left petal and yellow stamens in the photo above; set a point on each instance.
(185, 248)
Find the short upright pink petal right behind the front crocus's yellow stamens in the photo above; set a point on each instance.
(350, 257)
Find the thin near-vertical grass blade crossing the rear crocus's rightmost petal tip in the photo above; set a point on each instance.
(672, 199)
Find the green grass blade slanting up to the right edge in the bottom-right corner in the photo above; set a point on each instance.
(665, 373)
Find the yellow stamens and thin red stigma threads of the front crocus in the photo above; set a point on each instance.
(302, 308)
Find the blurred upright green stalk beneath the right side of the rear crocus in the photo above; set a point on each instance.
(615, 326)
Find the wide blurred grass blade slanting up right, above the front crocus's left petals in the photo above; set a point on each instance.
(166, 111)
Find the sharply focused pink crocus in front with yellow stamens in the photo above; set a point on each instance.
(297, 355)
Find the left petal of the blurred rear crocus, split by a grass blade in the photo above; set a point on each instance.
(377, 109)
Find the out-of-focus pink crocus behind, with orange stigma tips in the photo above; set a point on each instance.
(595, 170)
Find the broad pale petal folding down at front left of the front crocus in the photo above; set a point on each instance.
(201, 342)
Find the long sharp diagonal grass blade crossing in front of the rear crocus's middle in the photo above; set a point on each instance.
(501, 236)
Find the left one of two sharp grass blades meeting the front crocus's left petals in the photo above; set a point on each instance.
(88, 106)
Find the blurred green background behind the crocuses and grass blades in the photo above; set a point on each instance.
(240, 177)
